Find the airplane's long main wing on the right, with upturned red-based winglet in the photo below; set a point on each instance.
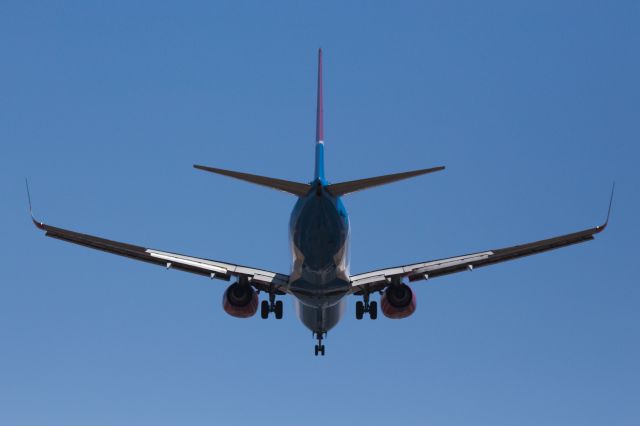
(377, 280)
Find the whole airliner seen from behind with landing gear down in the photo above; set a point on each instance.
(319, 233)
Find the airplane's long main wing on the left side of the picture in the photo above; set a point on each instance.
(260, 279)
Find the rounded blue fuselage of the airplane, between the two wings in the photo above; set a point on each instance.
(319, 241)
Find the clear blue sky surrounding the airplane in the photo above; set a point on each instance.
(533, 107)
